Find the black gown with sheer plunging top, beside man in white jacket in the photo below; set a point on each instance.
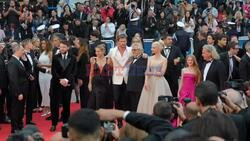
(100, 97)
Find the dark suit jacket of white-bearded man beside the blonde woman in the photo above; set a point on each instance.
(136, 75)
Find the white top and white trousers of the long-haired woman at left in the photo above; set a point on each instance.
(44, 80)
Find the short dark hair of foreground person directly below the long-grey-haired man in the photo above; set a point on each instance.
(207, 93)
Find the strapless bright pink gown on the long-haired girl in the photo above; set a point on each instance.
(188, 87)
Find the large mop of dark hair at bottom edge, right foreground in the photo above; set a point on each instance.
(215, 123)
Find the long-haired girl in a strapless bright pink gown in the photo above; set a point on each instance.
(191, 76)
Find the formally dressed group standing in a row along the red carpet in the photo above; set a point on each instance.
(123, 78)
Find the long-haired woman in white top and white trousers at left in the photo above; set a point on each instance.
(44, 78)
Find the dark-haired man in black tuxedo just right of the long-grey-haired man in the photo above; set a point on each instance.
(230, 62)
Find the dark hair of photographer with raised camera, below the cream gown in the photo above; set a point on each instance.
(163, 110)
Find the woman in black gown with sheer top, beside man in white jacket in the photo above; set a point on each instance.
(99, 80)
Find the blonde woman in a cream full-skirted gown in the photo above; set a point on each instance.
(155, 84)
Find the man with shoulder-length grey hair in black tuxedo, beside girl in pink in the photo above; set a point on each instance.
(213, 69)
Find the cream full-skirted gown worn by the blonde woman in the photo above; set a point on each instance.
(158, 87)
